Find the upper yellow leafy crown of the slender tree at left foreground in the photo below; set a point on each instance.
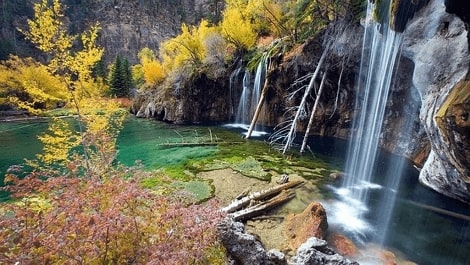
(48, 32)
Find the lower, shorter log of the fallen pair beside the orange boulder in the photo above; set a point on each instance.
(262, 206)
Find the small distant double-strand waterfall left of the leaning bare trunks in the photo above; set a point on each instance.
(251, 93)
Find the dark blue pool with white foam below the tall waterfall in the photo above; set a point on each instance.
(421, 224)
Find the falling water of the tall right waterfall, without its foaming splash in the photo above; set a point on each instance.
(379, 53)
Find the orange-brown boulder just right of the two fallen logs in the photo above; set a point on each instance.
(312, 222)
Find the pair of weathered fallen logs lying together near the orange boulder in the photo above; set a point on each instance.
(264, 199)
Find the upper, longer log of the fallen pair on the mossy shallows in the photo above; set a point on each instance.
(259, 195)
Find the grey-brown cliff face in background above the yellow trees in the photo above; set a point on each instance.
(127, 26)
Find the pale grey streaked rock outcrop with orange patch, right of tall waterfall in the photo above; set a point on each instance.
(437, 43)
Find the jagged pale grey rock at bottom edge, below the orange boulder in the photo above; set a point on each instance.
(316, 252)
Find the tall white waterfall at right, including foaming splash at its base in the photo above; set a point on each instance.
(381, 47)
